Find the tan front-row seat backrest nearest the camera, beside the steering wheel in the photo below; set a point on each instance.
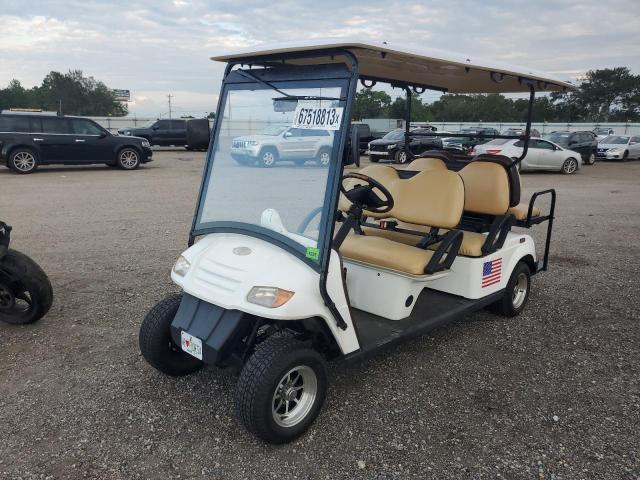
(434, 198)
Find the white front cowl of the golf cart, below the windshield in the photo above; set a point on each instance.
(219, 276)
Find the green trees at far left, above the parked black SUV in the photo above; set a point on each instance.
(71, 92)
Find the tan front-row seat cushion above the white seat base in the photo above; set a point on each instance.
(386, 253)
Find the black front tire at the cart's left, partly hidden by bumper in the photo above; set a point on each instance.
(156, 344)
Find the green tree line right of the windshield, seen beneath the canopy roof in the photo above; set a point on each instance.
(606, 95)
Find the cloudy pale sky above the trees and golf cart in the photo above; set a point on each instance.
(155, 47)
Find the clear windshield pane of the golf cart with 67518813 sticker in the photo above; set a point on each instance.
(273, 186)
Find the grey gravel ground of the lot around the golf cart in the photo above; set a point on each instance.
(553, 393)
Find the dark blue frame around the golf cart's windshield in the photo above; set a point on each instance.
(285, 77)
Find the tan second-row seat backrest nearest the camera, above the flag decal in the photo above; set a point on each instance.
(486, 188)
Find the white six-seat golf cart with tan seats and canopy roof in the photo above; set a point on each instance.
(288, 272)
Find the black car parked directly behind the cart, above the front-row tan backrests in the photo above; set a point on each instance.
(392, 145)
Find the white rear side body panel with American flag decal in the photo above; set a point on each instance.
(471, 278)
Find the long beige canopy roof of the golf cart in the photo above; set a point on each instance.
(429, 68)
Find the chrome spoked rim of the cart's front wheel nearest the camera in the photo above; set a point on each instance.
(294, 396)
